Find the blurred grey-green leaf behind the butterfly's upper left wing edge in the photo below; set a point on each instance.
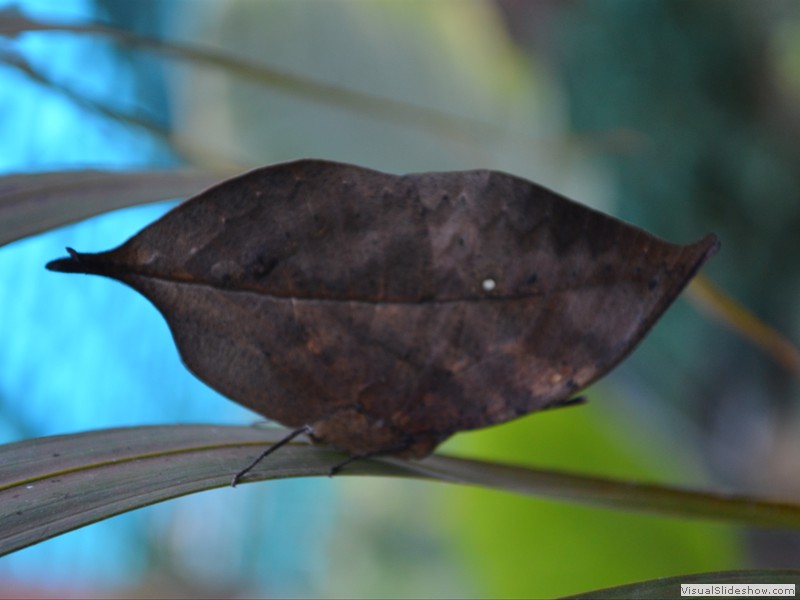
(31, 203)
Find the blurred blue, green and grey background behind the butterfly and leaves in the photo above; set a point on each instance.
(679, 116)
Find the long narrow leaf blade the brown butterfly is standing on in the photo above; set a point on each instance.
(52, 485)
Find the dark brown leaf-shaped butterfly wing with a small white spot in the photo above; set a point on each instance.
(391, 312)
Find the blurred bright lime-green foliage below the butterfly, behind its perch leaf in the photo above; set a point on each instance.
(518, 548)
